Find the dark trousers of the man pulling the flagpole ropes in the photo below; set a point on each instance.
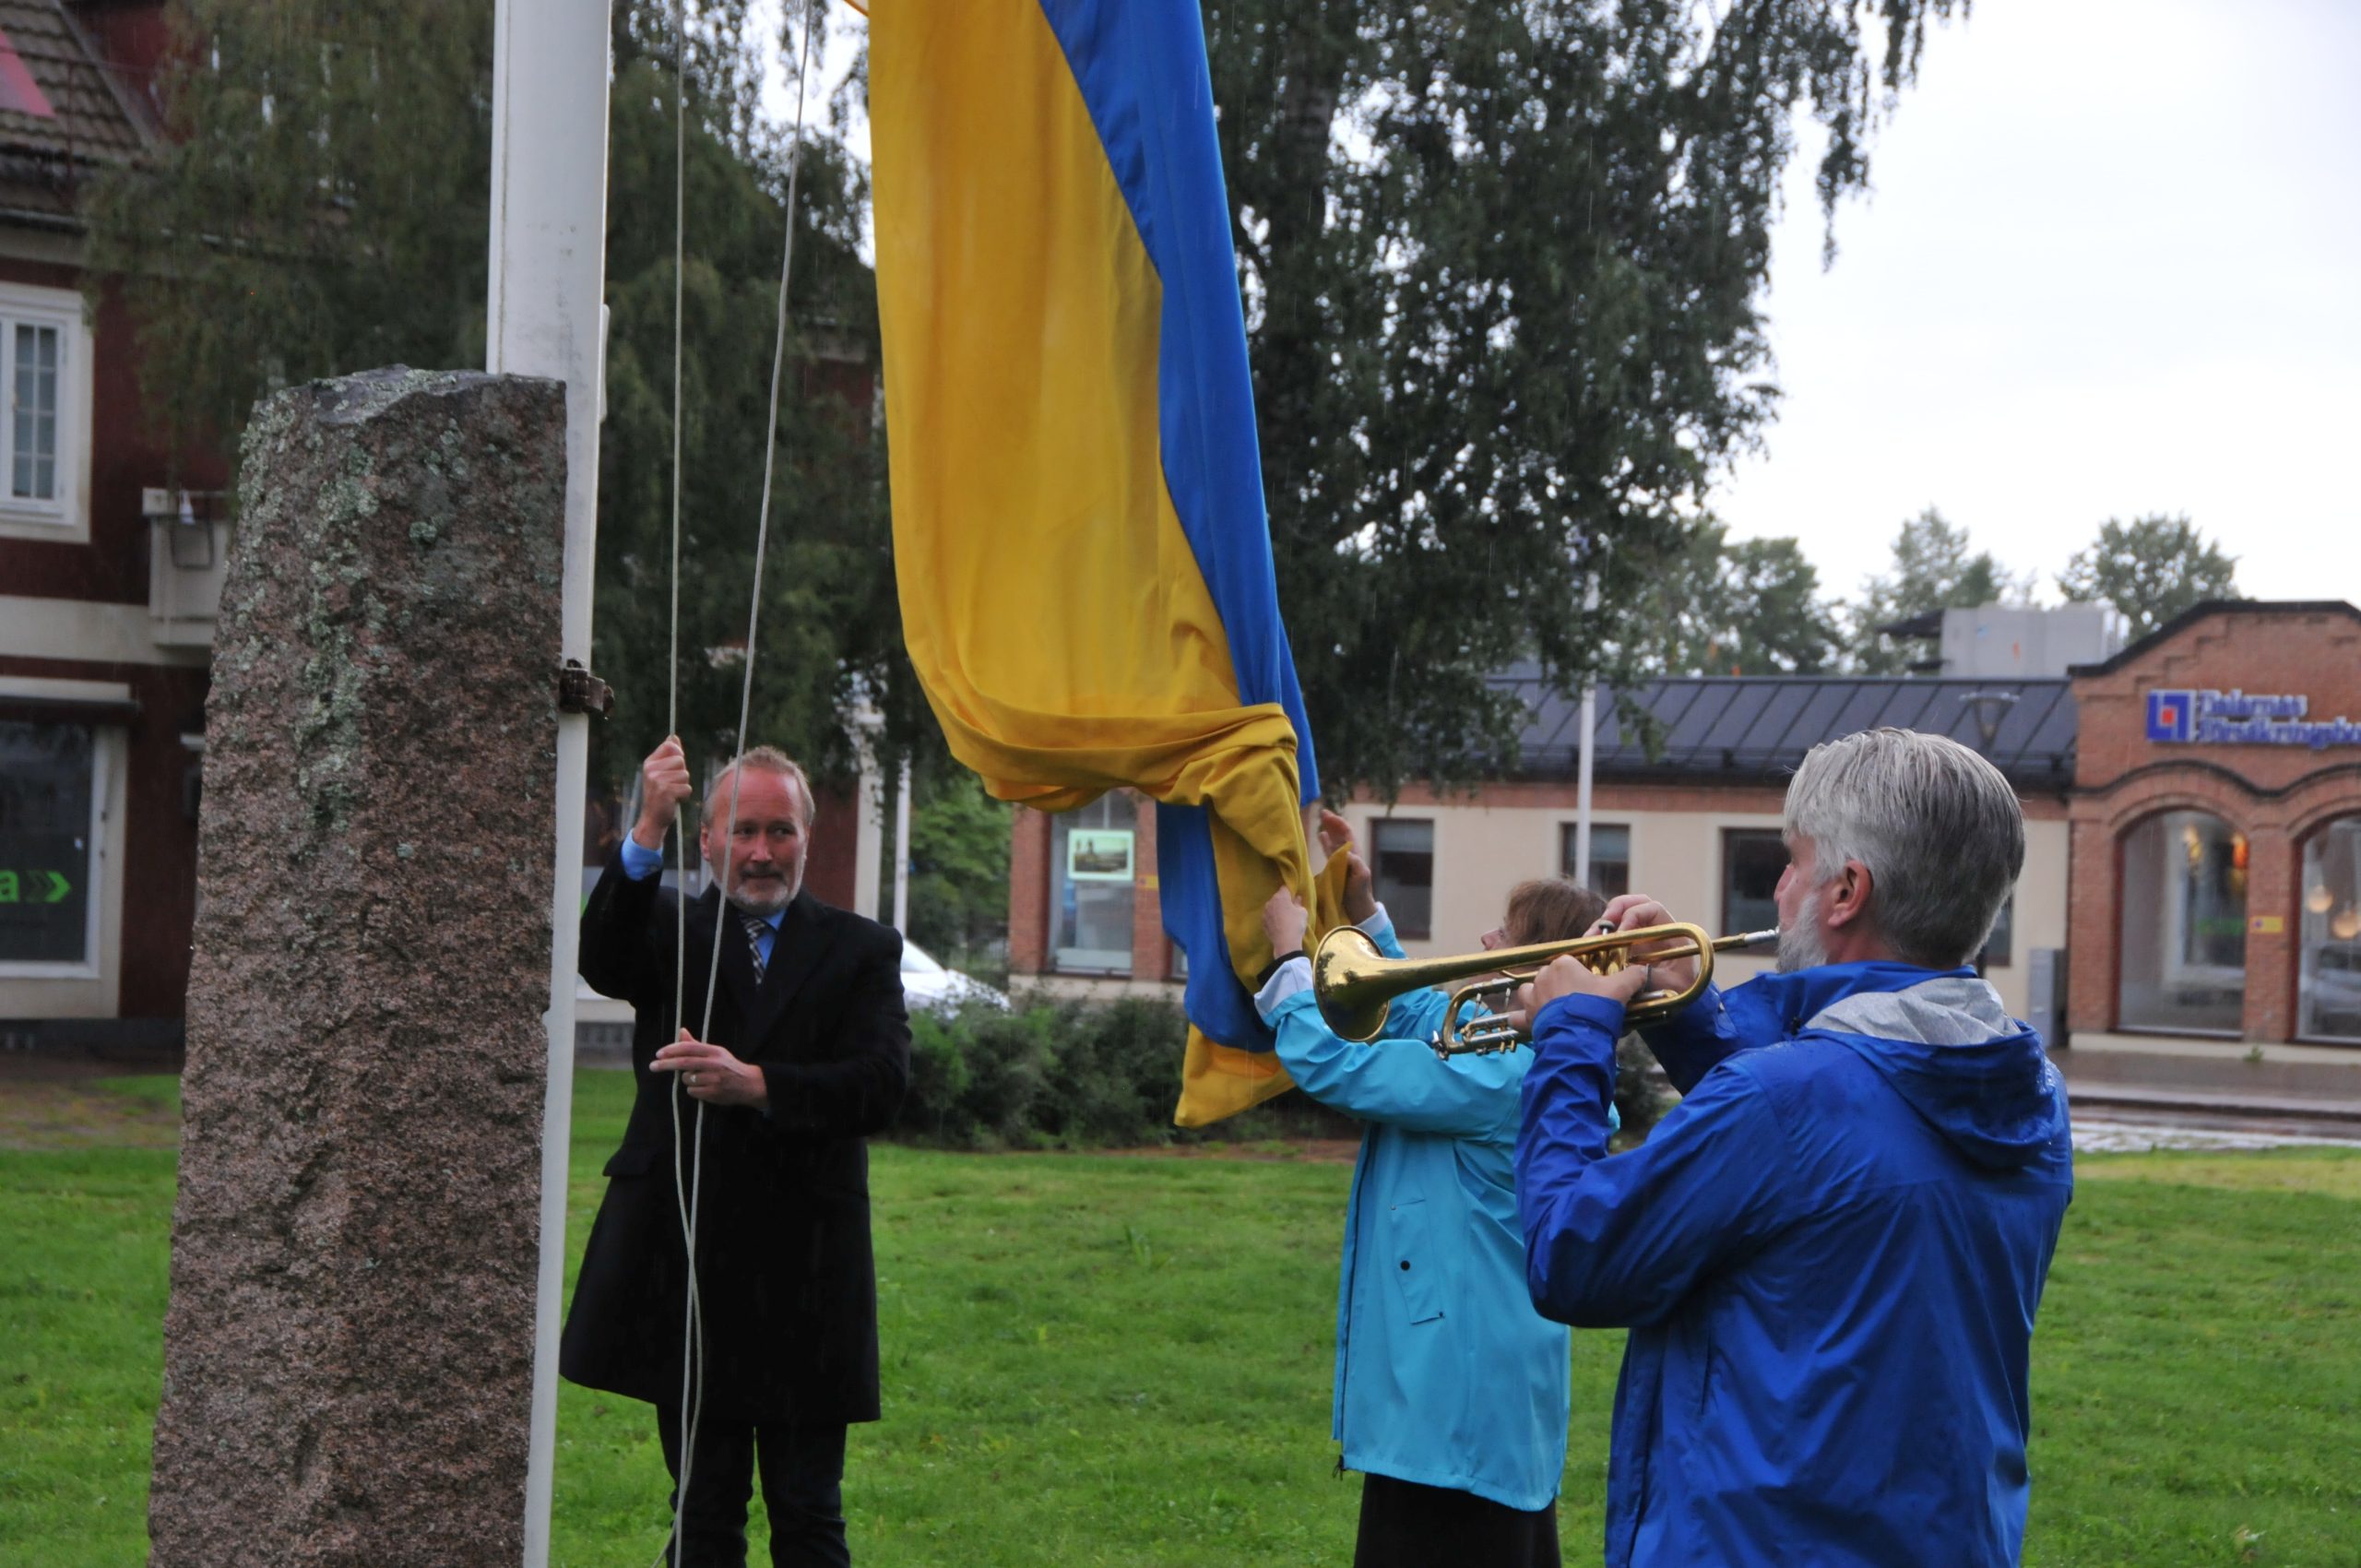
(804, 1472)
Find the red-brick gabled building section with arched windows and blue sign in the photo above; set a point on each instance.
(2218, 830)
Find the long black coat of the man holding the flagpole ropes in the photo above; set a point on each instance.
(783, 1224)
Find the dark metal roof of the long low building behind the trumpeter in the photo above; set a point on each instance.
(1758, 729)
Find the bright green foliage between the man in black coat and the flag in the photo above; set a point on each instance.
(960, 868)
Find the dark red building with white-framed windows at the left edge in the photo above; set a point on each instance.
(110, 570)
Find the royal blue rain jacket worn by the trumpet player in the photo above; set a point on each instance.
(1829, 1257)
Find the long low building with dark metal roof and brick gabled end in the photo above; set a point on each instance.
(2192, 828)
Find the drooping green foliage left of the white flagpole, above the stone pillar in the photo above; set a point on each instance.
(318, 204)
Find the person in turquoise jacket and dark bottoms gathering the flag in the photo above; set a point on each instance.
(1451, 1390)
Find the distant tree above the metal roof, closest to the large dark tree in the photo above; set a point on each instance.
(1718, 608)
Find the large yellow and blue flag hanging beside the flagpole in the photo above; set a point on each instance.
(1080, 533)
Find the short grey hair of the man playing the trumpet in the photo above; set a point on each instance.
(1935, 823)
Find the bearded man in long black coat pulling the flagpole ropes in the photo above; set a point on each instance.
(806, 1057)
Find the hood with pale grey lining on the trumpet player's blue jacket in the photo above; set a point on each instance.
(1947, 1045)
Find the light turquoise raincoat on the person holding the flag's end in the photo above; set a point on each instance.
(1444, 1371)
